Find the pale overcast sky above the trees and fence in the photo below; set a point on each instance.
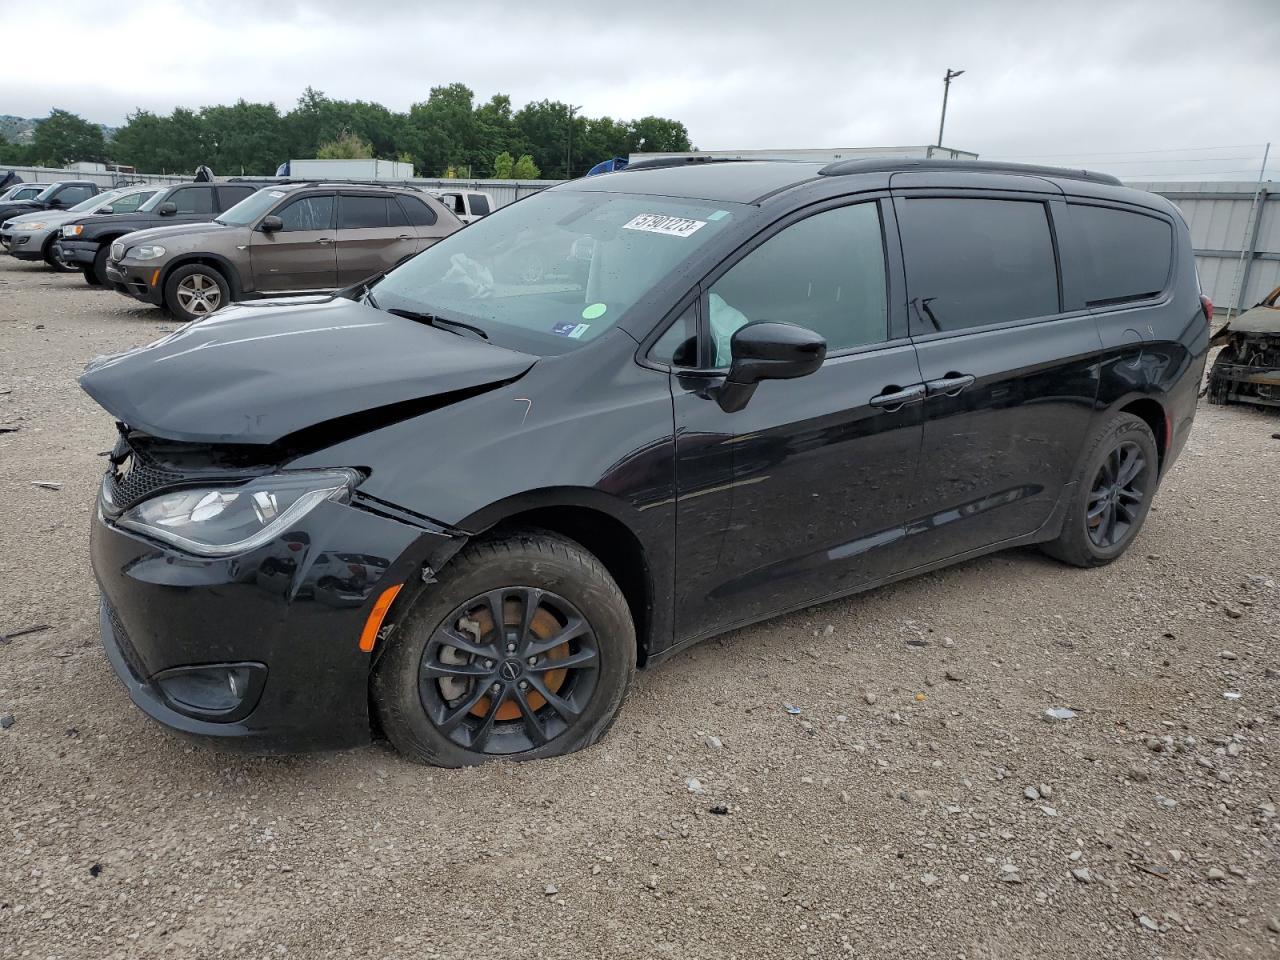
(1055, 83)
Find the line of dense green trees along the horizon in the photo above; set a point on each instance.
(447, 135)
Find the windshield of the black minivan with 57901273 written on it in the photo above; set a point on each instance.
(556, 271)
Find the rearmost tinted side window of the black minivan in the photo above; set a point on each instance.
(1130, 254)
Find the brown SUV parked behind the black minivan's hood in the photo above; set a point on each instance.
(284, 240)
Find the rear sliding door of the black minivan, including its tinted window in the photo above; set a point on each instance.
(1011, 369)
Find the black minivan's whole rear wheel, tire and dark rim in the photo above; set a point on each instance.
(1085, 542)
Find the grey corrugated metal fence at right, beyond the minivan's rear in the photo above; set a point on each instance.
(1236, 232)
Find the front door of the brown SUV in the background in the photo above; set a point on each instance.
(303, 254)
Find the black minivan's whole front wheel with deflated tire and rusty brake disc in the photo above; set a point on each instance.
(435, 717)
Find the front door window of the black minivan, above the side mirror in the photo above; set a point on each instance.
(825, 273)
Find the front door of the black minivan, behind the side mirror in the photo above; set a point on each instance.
(806, 487)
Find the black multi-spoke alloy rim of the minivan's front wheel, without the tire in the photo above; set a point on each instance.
(509, 671)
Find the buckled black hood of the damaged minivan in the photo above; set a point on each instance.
(263, 376)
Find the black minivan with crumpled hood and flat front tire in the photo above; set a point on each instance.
(464, 501)
